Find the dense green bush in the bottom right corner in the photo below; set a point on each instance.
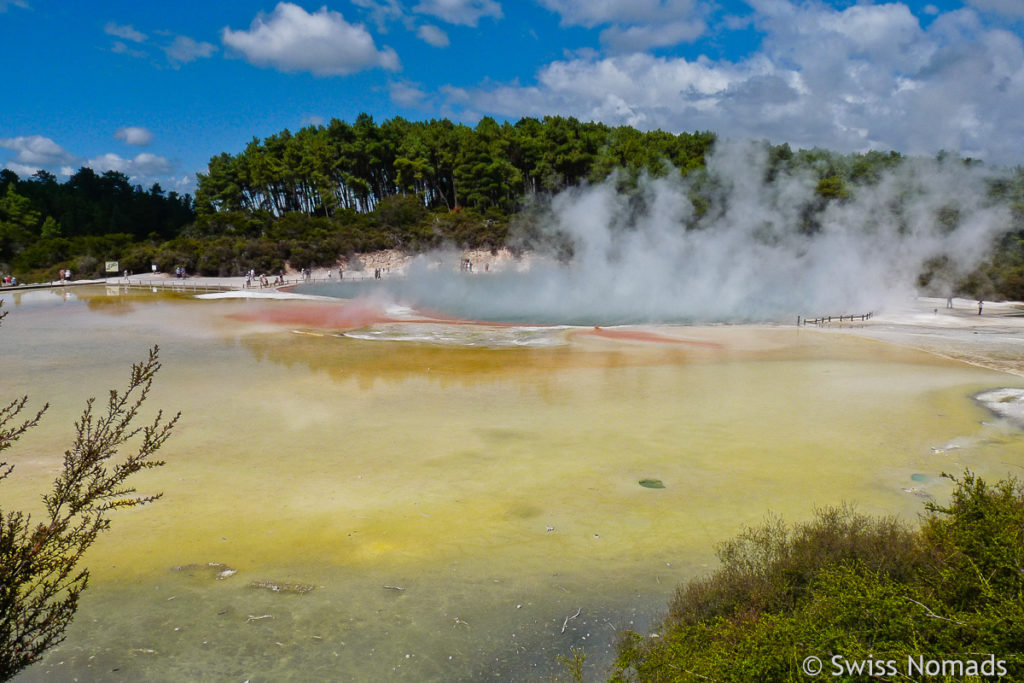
(866, 599)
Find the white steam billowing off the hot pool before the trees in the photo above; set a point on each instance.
(749, 259)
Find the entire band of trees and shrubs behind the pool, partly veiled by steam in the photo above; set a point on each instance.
(307, 199)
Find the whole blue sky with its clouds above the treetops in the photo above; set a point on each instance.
(156, 90)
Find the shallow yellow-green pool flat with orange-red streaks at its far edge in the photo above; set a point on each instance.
(351, 498)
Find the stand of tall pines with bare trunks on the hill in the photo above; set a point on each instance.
(322, 170)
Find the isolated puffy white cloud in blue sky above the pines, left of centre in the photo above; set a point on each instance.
(291, 39)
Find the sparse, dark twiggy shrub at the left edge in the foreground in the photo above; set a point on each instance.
(41, 577)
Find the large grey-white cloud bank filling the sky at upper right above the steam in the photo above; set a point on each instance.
(865, 77)
